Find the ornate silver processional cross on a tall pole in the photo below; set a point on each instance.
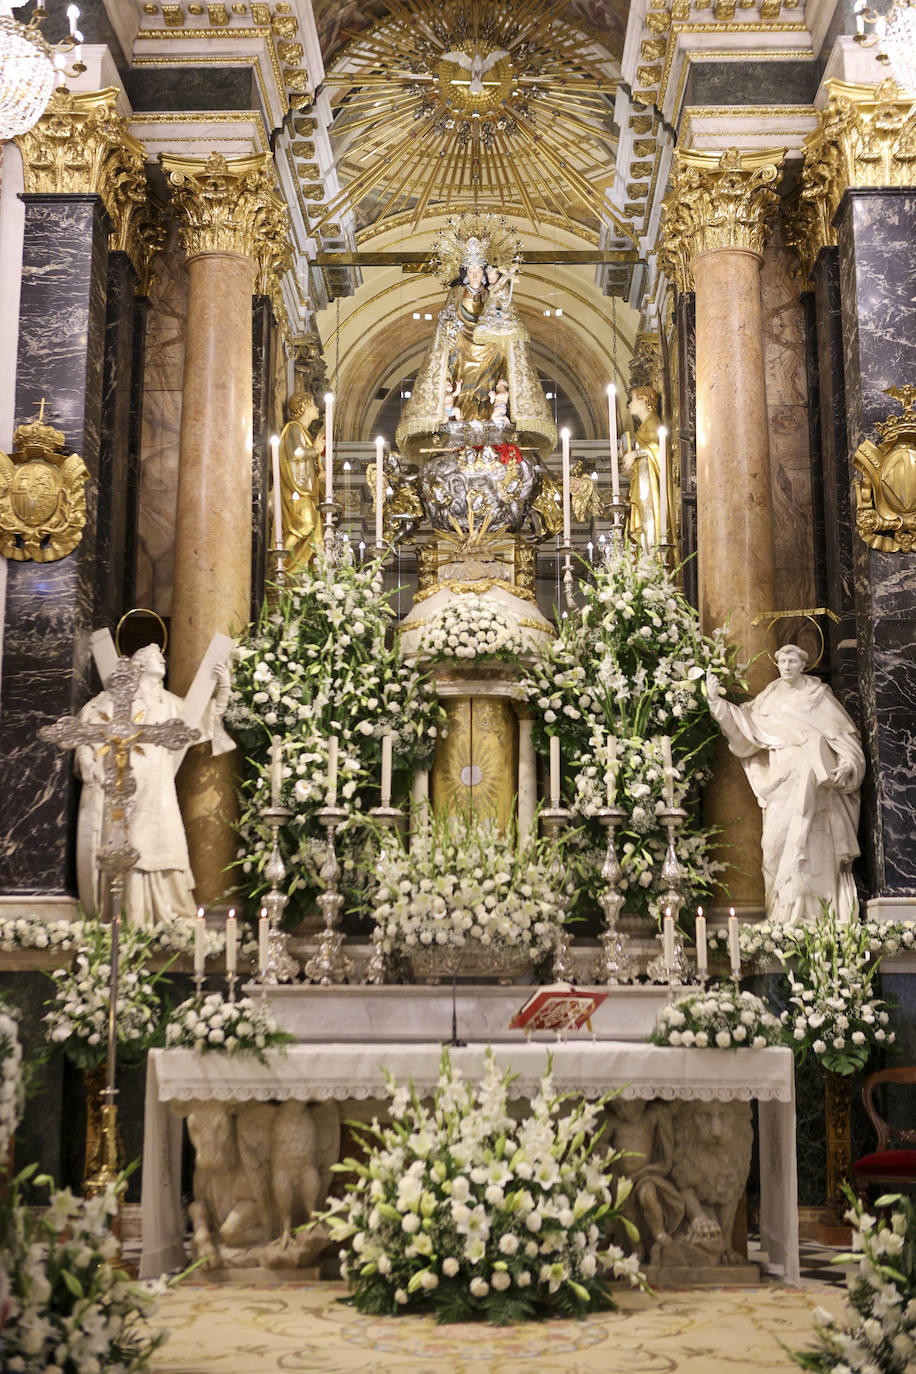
(115, 739)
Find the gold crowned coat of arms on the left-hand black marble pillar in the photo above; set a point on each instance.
(43, 499)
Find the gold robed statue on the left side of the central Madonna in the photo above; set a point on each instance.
(301, 476)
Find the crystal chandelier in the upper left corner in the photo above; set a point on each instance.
(28, 67)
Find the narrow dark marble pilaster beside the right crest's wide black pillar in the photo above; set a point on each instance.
(836, 490)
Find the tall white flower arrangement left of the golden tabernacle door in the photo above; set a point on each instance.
(325, 662)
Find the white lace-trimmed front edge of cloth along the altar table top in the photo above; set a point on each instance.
(345, 1072)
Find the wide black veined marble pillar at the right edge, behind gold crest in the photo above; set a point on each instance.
(877, 230)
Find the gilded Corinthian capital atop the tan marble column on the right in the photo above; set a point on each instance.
(716, 203)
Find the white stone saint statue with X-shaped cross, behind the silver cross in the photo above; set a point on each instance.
(161, 884)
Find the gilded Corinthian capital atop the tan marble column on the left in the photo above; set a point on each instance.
(230, 207)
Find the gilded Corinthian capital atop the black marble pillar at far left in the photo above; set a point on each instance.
(82, 146)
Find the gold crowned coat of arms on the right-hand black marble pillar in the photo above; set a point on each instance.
(886, 490)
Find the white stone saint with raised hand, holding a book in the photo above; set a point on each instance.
(804, 761)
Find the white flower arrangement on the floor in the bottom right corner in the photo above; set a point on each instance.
(877, 1335)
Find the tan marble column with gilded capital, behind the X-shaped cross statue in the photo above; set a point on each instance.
(227, 214)
